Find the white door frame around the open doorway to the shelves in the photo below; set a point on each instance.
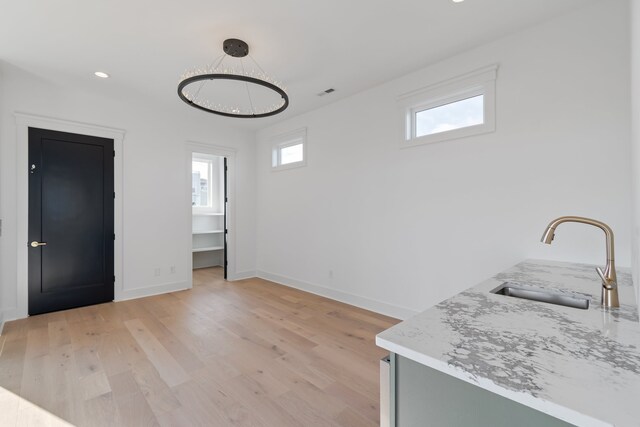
(230, 154)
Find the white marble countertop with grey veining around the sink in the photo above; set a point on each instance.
(581, 366)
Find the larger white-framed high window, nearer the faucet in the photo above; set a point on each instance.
(459, 107)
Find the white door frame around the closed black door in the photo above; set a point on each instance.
(23, 123)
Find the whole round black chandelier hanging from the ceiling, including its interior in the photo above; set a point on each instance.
(267, 98)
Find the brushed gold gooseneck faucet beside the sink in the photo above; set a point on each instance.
(608, 276)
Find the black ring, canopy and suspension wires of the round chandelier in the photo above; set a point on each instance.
(237, 49)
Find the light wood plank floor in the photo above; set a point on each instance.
(224, 353)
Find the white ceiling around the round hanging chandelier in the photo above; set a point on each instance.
(309, 46)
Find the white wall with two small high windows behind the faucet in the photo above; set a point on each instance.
(401, 229)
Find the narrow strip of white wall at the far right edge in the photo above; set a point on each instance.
(635, 141)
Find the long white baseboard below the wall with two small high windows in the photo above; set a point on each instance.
(347, 298)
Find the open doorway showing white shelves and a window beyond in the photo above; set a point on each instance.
(209, 207)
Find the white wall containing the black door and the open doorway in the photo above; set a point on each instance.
(156, 221)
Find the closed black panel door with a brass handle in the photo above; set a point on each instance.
(70, 220)
